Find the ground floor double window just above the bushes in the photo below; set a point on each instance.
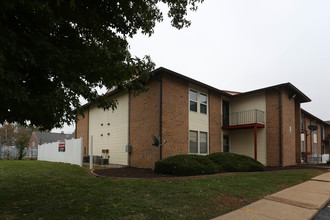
(198, 142)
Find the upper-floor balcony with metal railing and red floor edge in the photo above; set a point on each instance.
(244, 119)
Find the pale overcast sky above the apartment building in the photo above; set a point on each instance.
(243, 45)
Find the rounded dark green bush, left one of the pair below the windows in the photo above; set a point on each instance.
(186, 165)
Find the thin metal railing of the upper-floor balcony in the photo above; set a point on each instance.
(244, 117)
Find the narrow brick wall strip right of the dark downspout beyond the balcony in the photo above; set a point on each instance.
(288, 129)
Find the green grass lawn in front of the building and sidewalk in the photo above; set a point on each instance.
(44, 190)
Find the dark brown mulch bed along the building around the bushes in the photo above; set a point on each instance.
(132, 172)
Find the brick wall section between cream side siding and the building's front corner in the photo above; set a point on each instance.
(144, 122)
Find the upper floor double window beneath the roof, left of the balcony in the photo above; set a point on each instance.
(196, 98)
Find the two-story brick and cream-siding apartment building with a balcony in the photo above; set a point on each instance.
(195, 118)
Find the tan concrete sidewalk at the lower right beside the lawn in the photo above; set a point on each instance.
(302, 201)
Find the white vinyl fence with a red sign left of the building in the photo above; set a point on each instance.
(67, 151)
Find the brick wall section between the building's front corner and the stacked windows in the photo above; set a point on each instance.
(175, 121)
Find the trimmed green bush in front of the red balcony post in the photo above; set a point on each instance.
(236, 163)
